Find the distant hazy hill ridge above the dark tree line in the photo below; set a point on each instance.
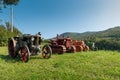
(109, 34)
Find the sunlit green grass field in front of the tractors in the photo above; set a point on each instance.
(92, 65)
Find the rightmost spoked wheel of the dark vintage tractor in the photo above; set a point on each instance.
(46, 51)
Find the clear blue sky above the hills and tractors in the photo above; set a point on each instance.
(51, 17)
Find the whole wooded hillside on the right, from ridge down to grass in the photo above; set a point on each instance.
(104, 40)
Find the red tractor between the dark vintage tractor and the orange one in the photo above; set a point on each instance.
(61, 45)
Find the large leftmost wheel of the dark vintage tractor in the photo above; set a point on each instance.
(11, 47)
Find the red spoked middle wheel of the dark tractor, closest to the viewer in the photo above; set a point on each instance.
(24, 54)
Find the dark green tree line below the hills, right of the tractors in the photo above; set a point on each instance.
(104, 43)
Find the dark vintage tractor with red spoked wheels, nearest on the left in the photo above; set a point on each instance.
(27, 45)
